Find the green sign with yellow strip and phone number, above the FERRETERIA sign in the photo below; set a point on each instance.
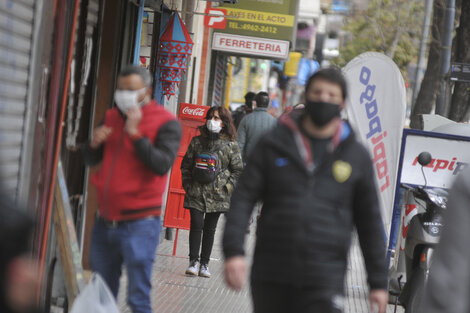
(273, 19)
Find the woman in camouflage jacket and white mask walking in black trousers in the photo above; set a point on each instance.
(210, 169)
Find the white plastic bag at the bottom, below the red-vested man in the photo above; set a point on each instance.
(95, 298)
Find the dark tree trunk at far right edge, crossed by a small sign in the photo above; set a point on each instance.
(461, 98)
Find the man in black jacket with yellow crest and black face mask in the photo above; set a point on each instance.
(316, 182)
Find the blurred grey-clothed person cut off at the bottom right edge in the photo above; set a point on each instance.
(448, 285)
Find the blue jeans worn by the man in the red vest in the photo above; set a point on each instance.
(133, 244)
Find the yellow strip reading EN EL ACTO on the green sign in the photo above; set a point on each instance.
(260, 17)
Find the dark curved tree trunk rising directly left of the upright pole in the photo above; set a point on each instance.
(430, 85)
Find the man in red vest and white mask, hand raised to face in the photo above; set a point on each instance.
(136, 145)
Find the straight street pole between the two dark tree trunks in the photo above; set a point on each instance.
(445, 57)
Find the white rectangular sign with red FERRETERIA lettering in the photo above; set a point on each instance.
(254, 46)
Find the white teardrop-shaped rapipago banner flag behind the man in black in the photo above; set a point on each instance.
(376, 110)
